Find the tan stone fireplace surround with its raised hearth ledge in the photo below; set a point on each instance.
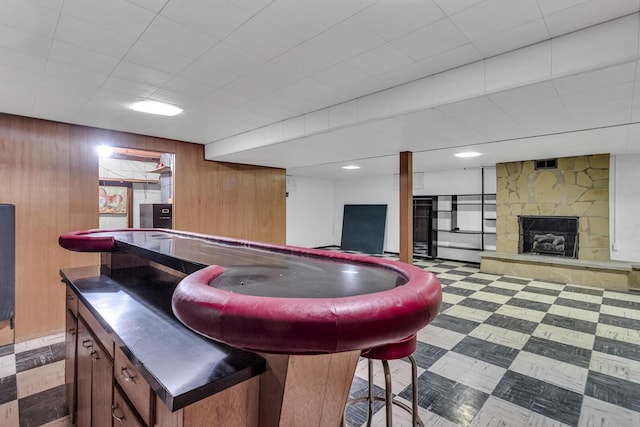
(578, 187)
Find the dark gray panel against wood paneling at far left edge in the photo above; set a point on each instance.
(7, 261)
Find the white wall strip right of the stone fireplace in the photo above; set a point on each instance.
(624, 207)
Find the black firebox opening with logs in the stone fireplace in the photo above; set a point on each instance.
(549, 236)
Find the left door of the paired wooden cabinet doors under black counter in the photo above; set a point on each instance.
(83, 378)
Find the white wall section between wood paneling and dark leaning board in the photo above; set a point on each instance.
(310, 212)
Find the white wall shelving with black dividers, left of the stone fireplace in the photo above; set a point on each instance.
(466, 225)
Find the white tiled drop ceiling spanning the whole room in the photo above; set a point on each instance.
(240, 65)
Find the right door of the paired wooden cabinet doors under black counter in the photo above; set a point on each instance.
(101, 387)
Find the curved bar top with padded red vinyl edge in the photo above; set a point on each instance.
(281, 299)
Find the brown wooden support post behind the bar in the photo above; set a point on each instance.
(406, 207)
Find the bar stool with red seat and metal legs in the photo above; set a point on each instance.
(393, 351)
